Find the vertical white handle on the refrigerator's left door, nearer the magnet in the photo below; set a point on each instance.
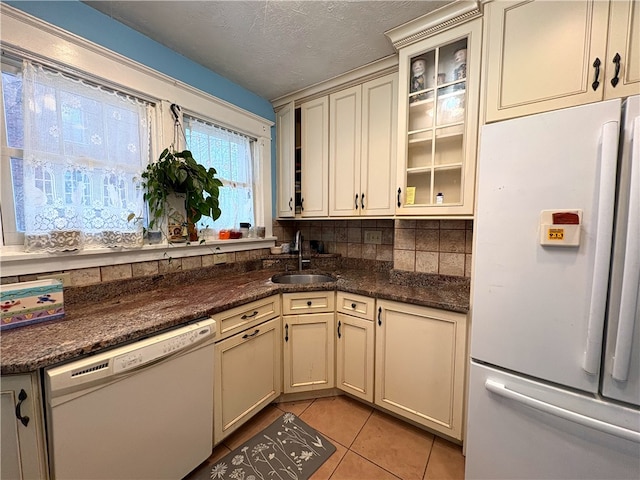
(603, 231)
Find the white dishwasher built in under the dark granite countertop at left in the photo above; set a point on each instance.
(140, 411)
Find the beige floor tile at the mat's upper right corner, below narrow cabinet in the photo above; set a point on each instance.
(340, 418)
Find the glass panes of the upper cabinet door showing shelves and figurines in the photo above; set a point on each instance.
(435, 153)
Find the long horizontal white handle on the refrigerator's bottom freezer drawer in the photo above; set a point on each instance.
(501, 390)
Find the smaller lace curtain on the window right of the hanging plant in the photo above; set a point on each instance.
(231, 154)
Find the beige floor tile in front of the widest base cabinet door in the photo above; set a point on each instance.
(394, 445)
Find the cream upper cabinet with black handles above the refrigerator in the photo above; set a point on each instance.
(543, 56)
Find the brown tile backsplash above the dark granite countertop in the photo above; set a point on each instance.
(424, 246)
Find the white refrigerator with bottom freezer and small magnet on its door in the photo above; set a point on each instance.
(554, 383)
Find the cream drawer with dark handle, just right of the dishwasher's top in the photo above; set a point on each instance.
(237, 319)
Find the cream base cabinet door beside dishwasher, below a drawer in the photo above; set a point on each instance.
(247, 376)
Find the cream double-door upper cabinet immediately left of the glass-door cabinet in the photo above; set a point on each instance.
(362, 154)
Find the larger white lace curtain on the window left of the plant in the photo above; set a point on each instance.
(84, 151)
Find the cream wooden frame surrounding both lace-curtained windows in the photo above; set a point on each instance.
(54, 46)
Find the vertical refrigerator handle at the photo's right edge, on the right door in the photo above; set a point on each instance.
(631, 268)
